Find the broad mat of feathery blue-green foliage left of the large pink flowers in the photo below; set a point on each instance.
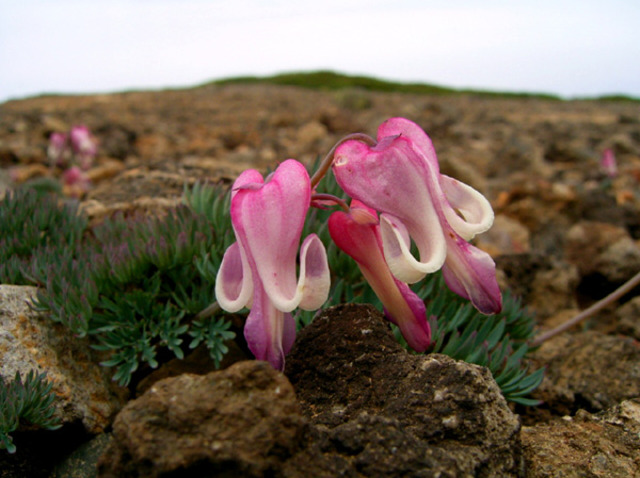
(131, 286)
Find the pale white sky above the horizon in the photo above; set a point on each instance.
(570, 48)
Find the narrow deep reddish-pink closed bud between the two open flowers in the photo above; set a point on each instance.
(358, 234)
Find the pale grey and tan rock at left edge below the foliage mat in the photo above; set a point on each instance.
(31, 341)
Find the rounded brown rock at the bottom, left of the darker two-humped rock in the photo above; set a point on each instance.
(242, 421)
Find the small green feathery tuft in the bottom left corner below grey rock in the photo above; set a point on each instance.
(25, 403)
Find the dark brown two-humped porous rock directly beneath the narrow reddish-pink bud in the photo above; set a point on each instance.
(381, 411)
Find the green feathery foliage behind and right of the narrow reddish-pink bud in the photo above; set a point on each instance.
(498, 342)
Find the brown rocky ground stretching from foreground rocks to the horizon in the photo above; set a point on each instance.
(351, 402)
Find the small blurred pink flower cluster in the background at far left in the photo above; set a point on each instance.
(74, 152)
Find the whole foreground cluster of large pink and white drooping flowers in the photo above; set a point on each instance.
(398, 196)
